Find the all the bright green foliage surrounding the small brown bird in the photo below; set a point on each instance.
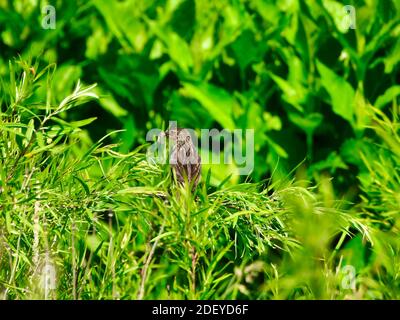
(84, 215)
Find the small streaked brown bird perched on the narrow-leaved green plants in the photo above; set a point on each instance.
(184, 159)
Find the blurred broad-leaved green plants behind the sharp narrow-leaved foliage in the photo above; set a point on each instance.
(287, 69)
